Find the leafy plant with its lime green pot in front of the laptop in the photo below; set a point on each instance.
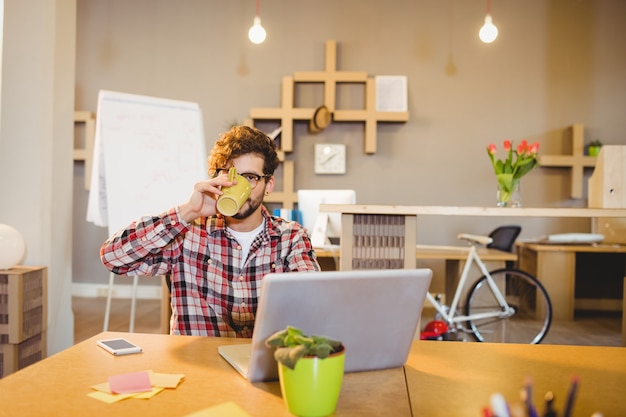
(310, 371)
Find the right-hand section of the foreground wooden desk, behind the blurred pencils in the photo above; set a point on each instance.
(456, 379)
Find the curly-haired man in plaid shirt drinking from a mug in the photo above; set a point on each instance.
(215, 262)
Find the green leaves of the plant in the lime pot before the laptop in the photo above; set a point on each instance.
(291, 345)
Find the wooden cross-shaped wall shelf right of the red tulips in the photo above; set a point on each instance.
(577, 161)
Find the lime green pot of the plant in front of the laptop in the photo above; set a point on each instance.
(312, 388)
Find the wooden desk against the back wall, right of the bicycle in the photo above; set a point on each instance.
(555, 267)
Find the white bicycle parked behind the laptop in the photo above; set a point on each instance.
(506, 305)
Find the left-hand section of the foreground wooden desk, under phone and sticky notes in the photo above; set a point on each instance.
(59, 384)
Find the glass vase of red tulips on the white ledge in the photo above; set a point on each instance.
(509, 171)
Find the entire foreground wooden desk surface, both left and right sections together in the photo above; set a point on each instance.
(439, 379)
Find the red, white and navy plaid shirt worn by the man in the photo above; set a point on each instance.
(211, 294)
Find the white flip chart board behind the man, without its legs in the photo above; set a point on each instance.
(148, 154)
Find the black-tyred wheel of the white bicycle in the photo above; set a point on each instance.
(528, 298)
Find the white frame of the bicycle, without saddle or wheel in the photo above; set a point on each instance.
(450, 316)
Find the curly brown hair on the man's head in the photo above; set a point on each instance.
(242, 140)
